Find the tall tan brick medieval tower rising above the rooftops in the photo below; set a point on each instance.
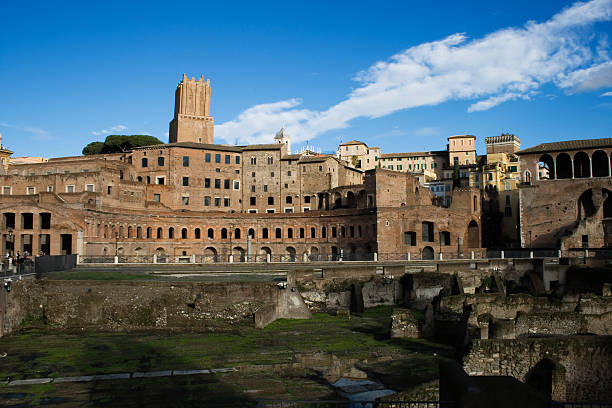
(192, 121)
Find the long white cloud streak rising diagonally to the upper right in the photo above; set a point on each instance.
(508, 64)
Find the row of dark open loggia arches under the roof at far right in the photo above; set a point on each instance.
(580, 165)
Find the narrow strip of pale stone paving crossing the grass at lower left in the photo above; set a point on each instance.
(119, 376)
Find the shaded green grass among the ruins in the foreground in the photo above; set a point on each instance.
(36, 352)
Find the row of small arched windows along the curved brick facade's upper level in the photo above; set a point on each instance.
(265, 233)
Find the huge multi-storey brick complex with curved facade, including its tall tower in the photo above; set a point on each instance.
(191, 197)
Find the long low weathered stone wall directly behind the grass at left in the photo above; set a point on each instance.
(123, 305)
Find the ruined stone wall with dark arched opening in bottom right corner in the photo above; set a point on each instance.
(582, 364)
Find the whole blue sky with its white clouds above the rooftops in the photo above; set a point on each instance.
(399, 75)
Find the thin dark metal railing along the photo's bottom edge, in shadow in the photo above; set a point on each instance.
(265, 403)
